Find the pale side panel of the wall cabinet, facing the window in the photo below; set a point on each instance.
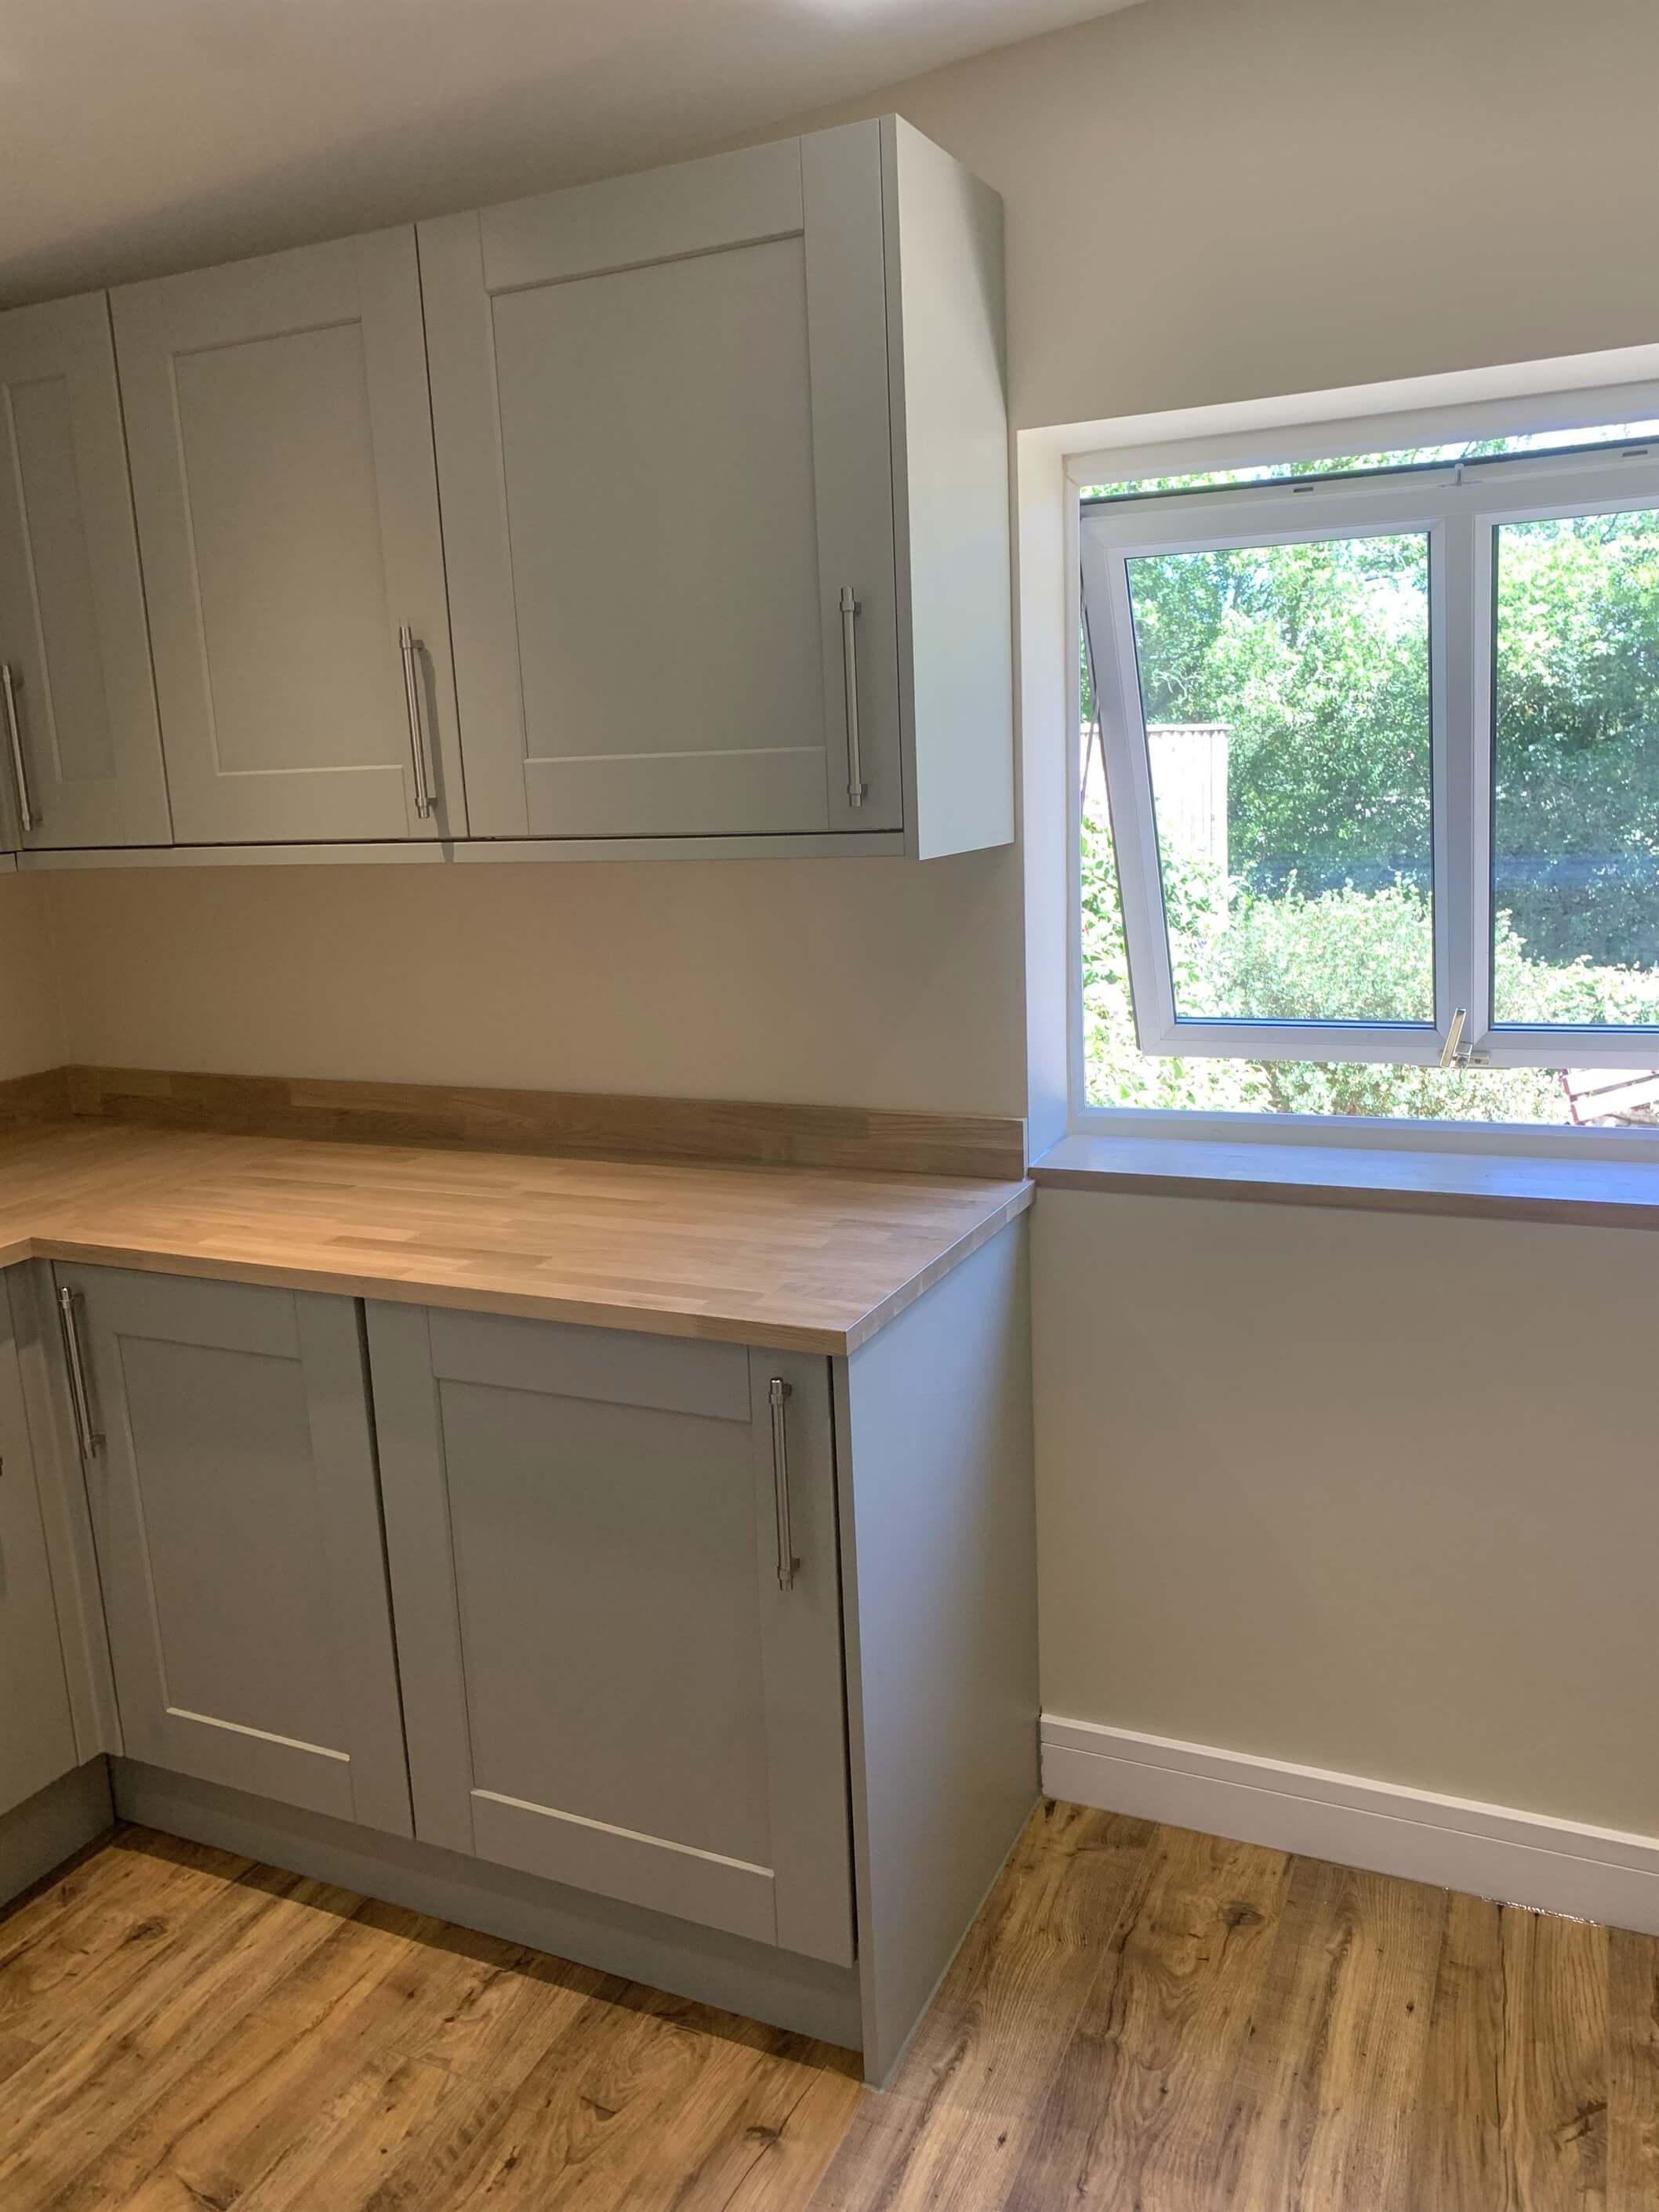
(952, 510)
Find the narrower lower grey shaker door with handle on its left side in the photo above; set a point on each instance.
(240, 1541)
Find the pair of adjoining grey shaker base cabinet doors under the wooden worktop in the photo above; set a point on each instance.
(565, 1600)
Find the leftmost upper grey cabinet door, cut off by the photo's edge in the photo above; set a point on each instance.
(79, 740)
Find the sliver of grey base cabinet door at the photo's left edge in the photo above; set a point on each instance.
(36, 1729)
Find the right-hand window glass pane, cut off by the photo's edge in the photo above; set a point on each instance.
(1576, 771)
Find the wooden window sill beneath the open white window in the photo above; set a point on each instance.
(1600, 1193)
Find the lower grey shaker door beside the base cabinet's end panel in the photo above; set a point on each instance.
(605, 1682)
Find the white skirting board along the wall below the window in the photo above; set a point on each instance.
(1454, 1844)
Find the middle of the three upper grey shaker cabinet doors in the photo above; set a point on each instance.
(286, 497)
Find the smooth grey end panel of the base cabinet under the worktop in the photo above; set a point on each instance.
(941, 1594)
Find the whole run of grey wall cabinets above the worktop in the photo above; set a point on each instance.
(722, 547)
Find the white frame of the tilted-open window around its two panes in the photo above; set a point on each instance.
(1459, 508)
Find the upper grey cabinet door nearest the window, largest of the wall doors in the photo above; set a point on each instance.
(662, 415)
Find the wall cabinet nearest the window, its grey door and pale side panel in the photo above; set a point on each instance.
(724, 483)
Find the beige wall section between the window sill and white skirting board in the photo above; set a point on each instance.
(1361, 1492)
